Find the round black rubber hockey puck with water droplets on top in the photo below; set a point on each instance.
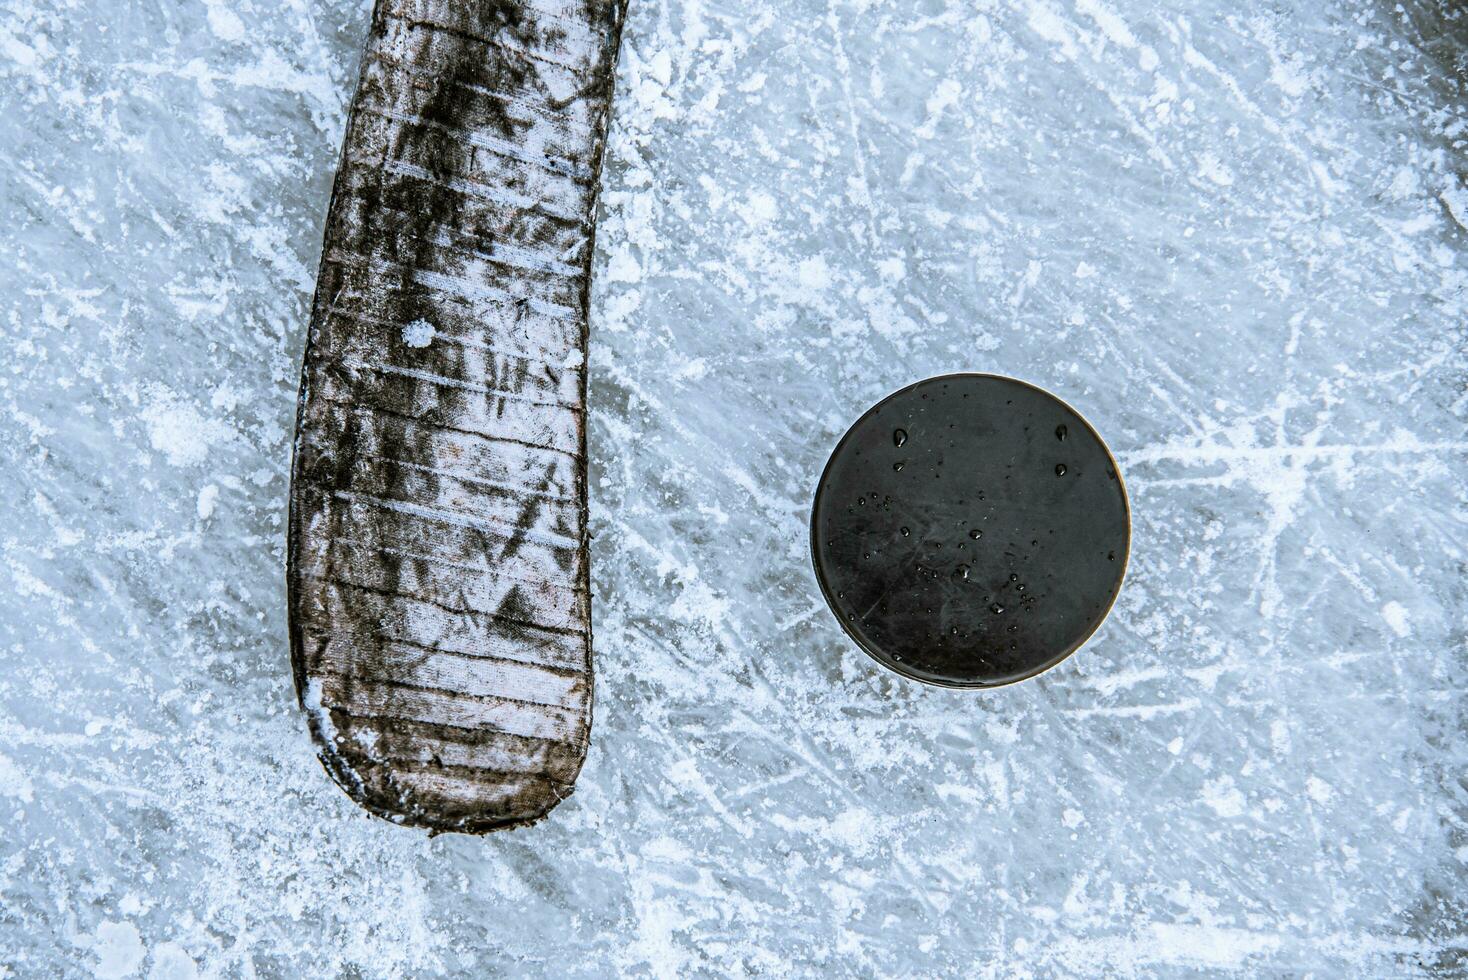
(971, 532)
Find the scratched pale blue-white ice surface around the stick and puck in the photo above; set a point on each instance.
(1232, 237)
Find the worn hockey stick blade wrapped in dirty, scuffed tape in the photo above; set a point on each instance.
(438, 542)
